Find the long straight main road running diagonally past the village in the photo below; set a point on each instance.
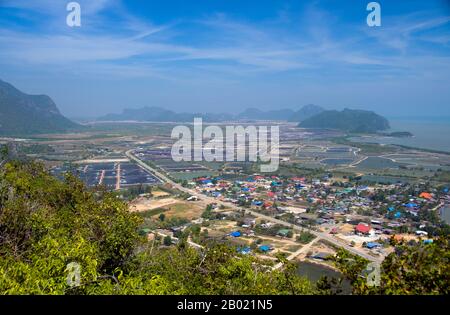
(321, 235)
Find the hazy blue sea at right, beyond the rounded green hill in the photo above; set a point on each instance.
(429, 133)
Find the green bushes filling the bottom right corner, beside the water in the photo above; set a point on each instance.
(414, 268)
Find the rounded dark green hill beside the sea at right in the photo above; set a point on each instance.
(348, 120)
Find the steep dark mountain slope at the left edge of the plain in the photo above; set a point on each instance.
(21, 113)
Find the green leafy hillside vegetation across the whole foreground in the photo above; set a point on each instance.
(46, 224)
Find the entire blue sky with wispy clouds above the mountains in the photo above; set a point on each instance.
(226, 55)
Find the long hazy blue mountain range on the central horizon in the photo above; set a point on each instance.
(157, 114)
